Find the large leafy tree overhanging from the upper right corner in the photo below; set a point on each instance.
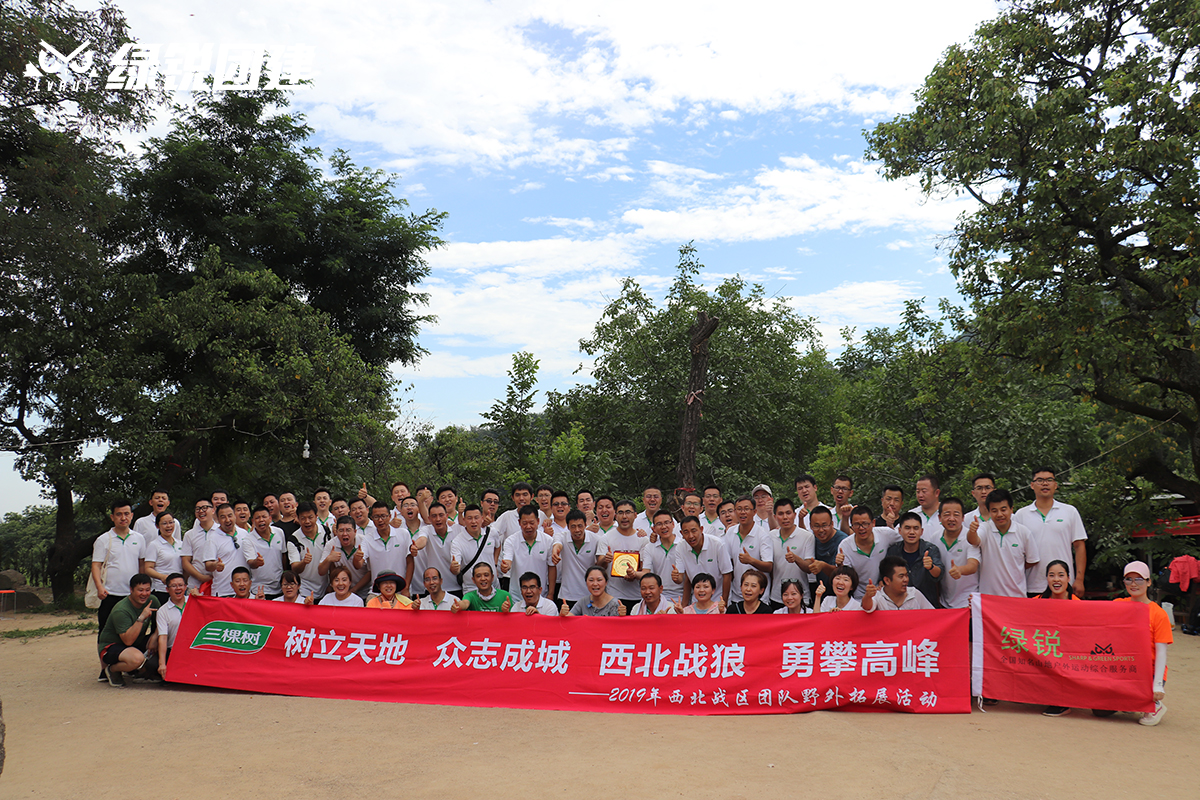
(1077, 128)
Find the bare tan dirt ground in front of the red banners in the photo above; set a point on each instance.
(71, 737)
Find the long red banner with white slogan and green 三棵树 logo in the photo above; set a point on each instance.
(905, 661)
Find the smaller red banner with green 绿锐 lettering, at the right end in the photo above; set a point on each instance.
(1091, 655)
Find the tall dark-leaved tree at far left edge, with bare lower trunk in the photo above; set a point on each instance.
(69, 372)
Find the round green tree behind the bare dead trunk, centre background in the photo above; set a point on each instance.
(766, 405)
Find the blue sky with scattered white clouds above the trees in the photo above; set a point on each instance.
(577, 145)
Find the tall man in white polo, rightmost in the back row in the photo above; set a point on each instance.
(1059, 531)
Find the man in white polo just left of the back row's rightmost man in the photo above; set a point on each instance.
(1007, 549)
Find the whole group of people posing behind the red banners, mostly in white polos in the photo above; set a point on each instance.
(593, 557)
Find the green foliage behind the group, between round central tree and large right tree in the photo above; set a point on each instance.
(914, 400)
